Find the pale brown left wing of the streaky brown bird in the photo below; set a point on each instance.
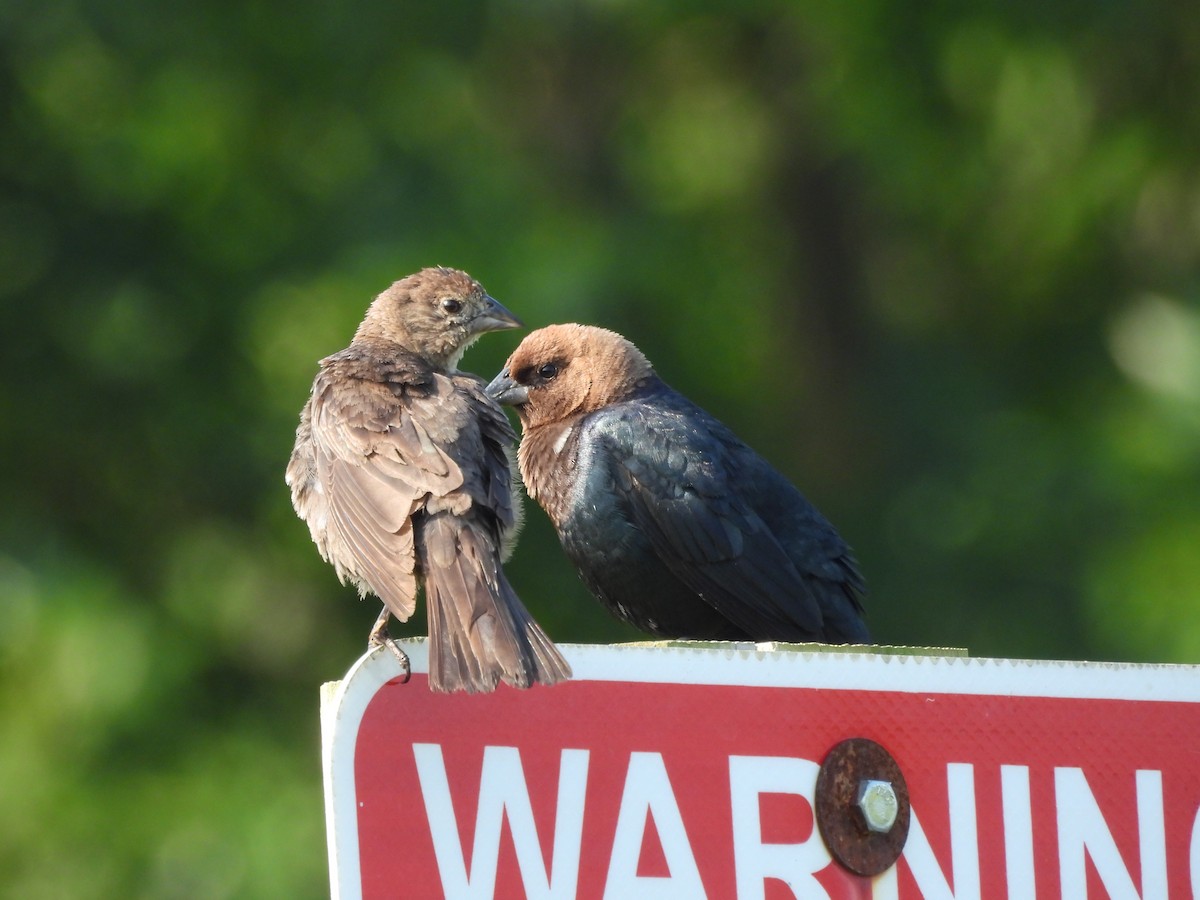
(380, 454)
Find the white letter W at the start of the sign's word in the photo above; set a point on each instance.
(503, 790)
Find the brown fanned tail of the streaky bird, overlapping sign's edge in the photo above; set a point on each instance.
(481, 633)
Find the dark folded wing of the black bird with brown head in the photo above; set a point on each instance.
(683, 496)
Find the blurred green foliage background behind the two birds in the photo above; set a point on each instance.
(937, 262)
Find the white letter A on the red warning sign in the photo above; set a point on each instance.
(649, 794)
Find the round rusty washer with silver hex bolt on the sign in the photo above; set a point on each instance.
(862, 807)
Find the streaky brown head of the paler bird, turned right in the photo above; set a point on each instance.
(437, 314)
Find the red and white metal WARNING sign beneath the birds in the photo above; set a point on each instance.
(691, 773)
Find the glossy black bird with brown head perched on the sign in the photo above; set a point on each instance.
(671, 521)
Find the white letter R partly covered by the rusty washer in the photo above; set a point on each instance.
(755, 861)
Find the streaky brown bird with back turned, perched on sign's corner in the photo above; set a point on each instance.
(401, 470)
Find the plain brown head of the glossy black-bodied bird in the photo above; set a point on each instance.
(562, 371)
